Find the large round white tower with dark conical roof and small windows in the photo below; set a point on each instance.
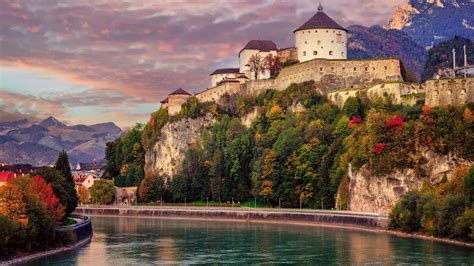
(320, 37)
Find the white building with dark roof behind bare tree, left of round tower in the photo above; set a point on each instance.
(261, 48)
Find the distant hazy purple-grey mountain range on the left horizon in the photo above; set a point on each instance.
(38, 143)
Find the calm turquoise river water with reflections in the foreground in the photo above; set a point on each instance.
(144, 241)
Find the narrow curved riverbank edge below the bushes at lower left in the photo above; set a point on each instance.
(82, 231)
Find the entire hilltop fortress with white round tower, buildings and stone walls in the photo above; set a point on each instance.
(320, 54)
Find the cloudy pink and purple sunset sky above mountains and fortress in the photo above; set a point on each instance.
(93, 61)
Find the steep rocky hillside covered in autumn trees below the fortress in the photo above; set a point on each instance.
(301, 149)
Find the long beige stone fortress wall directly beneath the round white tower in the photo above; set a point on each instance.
(333, 74)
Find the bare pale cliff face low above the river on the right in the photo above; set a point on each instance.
(370, 193)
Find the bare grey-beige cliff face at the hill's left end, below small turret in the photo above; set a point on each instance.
(165, 156)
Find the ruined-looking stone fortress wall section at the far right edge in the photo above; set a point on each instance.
(449, 91)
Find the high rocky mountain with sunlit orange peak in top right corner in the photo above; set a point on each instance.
(434, 21)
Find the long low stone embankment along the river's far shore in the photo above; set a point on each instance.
(337, 218)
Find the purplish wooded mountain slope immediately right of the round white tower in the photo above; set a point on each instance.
(376, 42)
